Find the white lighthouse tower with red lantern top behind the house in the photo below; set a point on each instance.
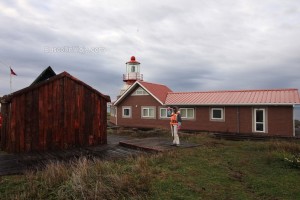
(132, 74)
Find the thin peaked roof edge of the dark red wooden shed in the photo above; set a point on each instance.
(53, 78)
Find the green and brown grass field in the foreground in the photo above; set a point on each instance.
(217, 169)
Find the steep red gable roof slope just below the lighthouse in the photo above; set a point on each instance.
(157, 90)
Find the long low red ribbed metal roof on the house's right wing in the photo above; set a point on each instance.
(235, 97)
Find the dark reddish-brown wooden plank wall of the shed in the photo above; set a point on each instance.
(60, 114)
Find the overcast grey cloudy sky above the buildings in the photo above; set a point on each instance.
(191, 45)
